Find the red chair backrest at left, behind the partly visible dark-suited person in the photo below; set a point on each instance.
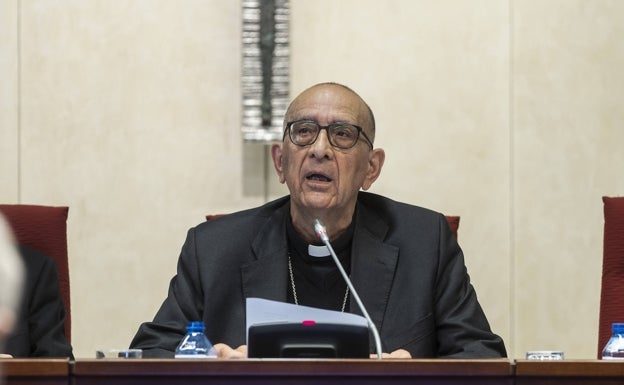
(44, 228)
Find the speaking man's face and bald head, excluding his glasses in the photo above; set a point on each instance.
(320, 176)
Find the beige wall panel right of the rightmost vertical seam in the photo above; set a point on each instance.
(568, 84)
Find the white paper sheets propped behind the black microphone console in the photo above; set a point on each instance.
(263, 311)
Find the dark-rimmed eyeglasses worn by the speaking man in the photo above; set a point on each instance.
(341, 135)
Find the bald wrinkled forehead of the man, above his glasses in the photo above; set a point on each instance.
(327, 104)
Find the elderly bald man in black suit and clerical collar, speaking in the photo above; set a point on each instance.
(402, 259)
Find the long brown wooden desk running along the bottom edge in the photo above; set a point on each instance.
(316, 372)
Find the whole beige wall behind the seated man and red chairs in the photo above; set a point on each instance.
(507, 113)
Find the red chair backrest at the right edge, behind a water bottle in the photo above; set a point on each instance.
(612, 287)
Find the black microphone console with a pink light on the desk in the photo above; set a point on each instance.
(308, 340)
